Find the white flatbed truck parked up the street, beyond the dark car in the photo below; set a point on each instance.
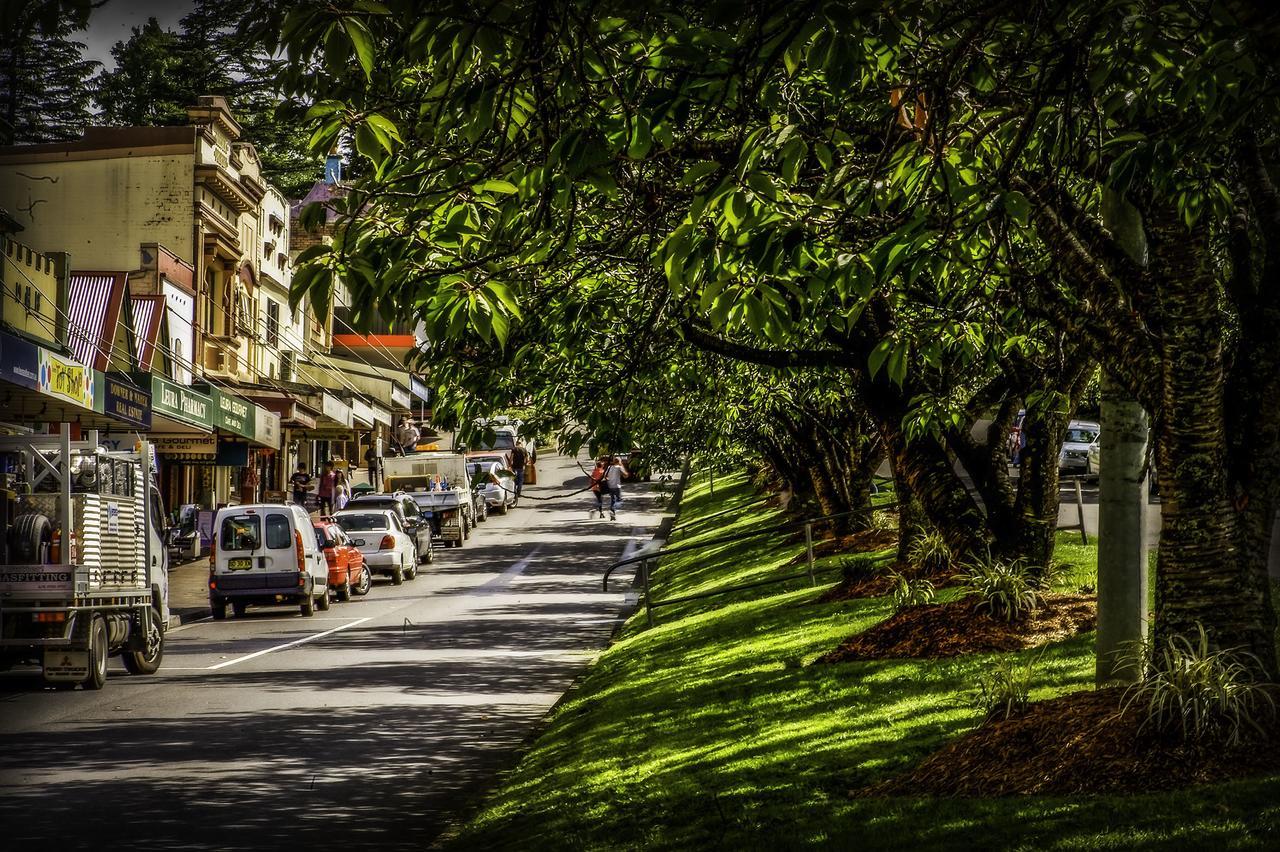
(454, 509)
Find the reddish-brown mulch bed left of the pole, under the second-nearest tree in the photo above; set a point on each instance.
(958, 627)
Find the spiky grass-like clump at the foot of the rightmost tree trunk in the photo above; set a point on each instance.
(1199, 694)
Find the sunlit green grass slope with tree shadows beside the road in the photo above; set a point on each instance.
(715, 731)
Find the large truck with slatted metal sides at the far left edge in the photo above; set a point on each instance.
(84, 567)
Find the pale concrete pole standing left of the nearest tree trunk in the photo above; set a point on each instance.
(1122, 498)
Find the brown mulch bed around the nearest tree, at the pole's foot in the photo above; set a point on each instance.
(1077, 744)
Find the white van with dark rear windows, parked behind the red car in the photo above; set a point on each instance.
(266, 555)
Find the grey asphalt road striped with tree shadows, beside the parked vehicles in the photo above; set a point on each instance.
(365, 727)
